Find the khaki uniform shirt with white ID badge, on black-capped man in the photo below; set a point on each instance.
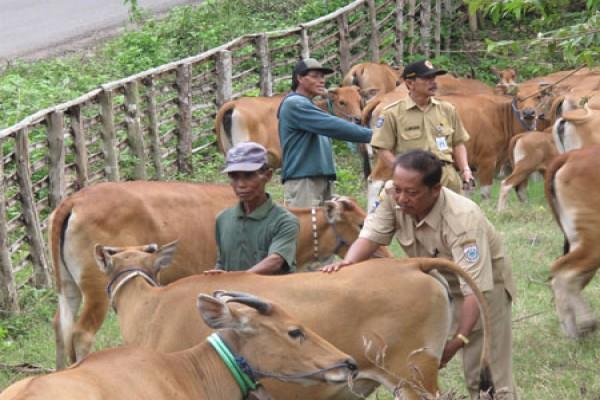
(403, 127)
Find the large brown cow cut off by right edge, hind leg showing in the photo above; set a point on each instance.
(576, 208)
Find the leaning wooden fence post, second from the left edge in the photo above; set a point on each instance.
(41, 277)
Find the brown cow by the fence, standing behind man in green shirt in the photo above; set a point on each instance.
(133, 213)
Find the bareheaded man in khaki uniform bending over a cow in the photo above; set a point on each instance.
(429, 220)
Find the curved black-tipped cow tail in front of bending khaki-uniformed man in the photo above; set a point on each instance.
(428, 264)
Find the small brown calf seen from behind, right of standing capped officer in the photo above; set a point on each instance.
(528, 152)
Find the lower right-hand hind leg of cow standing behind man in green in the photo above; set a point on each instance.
(95, 306)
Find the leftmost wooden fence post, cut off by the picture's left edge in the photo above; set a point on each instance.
(8, 289)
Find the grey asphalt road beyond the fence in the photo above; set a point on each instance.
(39, 28)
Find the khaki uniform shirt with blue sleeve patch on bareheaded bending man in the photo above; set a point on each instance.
(455, 229)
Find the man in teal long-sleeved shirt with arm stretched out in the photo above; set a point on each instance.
(305, 133)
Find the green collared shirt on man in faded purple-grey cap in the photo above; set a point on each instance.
(244, 240)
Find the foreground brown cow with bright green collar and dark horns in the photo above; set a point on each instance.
(267, 337)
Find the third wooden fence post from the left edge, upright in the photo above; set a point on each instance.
(56, 157)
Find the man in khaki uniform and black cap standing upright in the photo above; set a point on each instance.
(421, 121)
